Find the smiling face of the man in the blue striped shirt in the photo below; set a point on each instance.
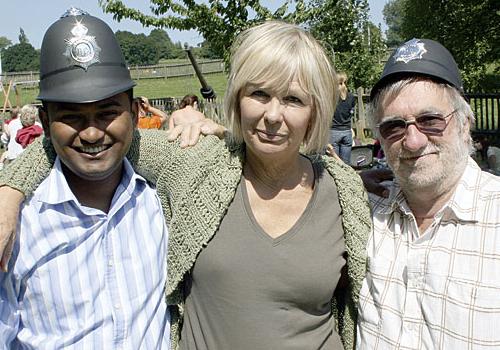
(91, 139)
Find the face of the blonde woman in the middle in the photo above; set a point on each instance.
(273, 123)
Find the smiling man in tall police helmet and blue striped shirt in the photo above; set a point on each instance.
(89, 262)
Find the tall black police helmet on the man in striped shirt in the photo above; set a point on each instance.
(81, 61)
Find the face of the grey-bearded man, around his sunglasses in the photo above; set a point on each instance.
(420, 161)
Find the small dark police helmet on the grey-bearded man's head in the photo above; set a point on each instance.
(423, 57)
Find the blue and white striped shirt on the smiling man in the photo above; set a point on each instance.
(83, 279)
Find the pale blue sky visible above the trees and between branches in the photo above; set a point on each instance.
(35, 16)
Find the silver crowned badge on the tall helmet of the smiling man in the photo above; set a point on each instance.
(82, 49)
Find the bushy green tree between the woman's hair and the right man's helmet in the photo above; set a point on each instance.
(354, 44)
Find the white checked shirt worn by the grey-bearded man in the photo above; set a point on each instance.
(439, 290)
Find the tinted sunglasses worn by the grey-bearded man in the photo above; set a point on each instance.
(432, 124)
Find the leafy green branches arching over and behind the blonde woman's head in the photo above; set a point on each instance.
(342, 26)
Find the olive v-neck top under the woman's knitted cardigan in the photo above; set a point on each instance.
(250, 291)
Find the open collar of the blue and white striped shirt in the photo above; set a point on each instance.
(56, 189)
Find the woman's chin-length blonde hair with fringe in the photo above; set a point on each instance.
(274, 54)
